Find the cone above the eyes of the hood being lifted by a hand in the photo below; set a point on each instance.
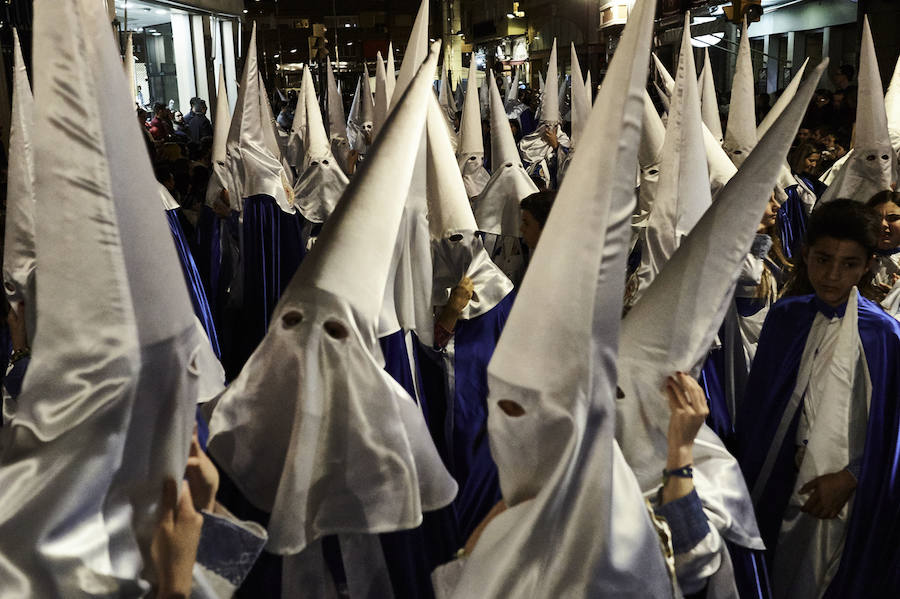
(448, 204)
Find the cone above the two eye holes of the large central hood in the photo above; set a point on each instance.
(363, 227)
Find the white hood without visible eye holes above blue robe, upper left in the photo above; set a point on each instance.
(255, 169)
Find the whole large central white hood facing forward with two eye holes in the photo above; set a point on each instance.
(328, 442)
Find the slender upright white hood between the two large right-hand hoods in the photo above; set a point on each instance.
(682, 193)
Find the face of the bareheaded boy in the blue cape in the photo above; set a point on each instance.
(834, 266)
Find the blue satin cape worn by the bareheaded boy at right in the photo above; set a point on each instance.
(874, 530)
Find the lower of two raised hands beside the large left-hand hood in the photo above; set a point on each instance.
(175, 541)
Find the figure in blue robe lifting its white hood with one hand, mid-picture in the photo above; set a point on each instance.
(457, 252)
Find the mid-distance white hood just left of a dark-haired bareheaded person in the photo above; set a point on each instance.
(497, 208)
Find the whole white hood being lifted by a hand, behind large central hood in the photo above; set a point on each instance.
(455, 248)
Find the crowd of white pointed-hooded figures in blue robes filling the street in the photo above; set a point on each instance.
(400, 386)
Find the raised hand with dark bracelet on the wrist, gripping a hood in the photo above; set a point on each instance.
(687, 412)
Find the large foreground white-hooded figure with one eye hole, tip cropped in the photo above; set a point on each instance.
(576, 524)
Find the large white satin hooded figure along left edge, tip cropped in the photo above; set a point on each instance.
(108, 404)
